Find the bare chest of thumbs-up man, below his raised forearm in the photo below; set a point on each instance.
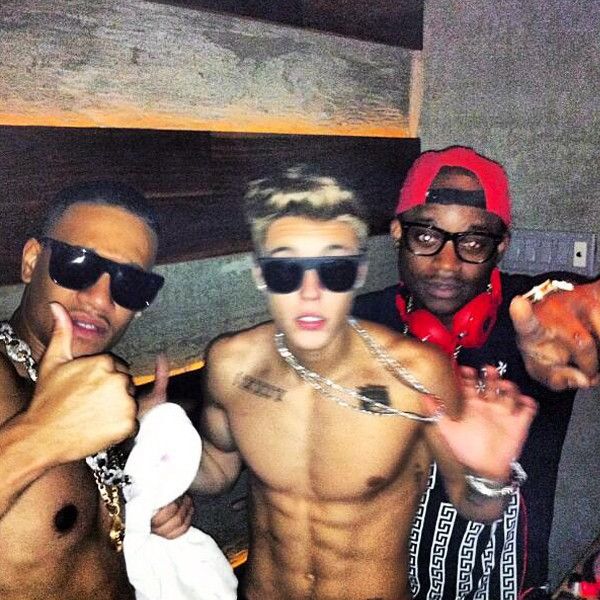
(53, 542)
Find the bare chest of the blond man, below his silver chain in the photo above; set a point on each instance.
(302, 441)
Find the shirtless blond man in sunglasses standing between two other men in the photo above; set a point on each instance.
(337, 436)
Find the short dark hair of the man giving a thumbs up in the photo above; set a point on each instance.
(103, 193)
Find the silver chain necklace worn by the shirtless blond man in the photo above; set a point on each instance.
(334, 391)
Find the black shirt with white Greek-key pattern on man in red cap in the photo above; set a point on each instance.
(450, 557)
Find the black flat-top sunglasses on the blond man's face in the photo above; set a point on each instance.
(284, 275)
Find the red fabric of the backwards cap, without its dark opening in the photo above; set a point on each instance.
(491, 176)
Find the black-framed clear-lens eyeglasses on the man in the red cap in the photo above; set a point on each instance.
(474, 247)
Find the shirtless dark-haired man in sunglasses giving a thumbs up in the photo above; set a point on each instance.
(54, 528)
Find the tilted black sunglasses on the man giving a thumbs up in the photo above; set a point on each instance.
(77, 268)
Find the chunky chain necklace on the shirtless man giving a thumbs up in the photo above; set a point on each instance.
(107, 465)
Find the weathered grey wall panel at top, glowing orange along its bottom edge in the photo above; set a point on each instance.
(139, 64)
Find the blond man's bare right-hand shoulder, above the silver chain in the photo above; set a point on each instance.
(426, 362)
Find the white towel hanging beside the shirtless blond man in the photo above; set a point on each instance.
(162, 465)
